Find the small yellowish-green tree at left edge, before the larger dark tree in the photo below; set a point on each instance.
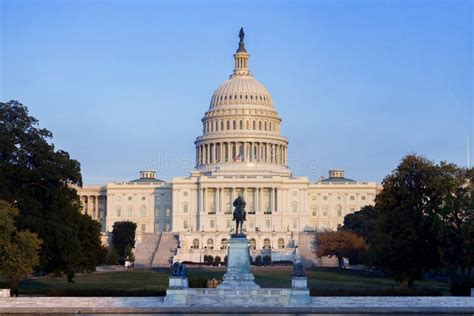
(18, 249)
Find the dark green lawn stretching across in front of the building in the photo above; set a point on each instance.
(155, 282)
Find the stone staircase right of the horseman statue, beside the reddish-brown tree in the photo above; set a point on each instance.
(307, 252)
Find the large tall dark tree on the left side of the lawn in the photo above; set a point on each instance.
(39, 180)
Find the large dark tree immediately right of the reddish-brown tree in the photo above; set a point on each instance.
(406, 240)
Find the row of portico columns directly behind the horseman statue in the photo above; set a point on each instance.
(217, 203)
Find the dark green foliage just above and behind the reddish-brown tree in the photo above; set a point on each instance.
(362, 223)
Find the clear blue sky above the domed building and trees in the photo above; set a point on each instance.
(123, 84)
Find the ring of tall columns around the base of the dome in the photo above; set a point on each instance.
(241, 152)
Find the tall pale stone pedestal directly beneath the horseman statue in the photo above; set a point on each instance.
(238, 275)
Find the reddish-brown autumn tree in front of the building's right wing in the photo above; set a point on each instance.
(342, 244)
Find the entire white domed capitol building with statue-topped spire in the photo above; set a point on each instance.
(240, 152)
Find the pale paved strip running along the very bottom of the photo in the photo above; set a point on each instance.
(50, 305)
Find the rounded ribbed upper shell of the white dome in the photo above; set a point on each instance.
(241, 90)
